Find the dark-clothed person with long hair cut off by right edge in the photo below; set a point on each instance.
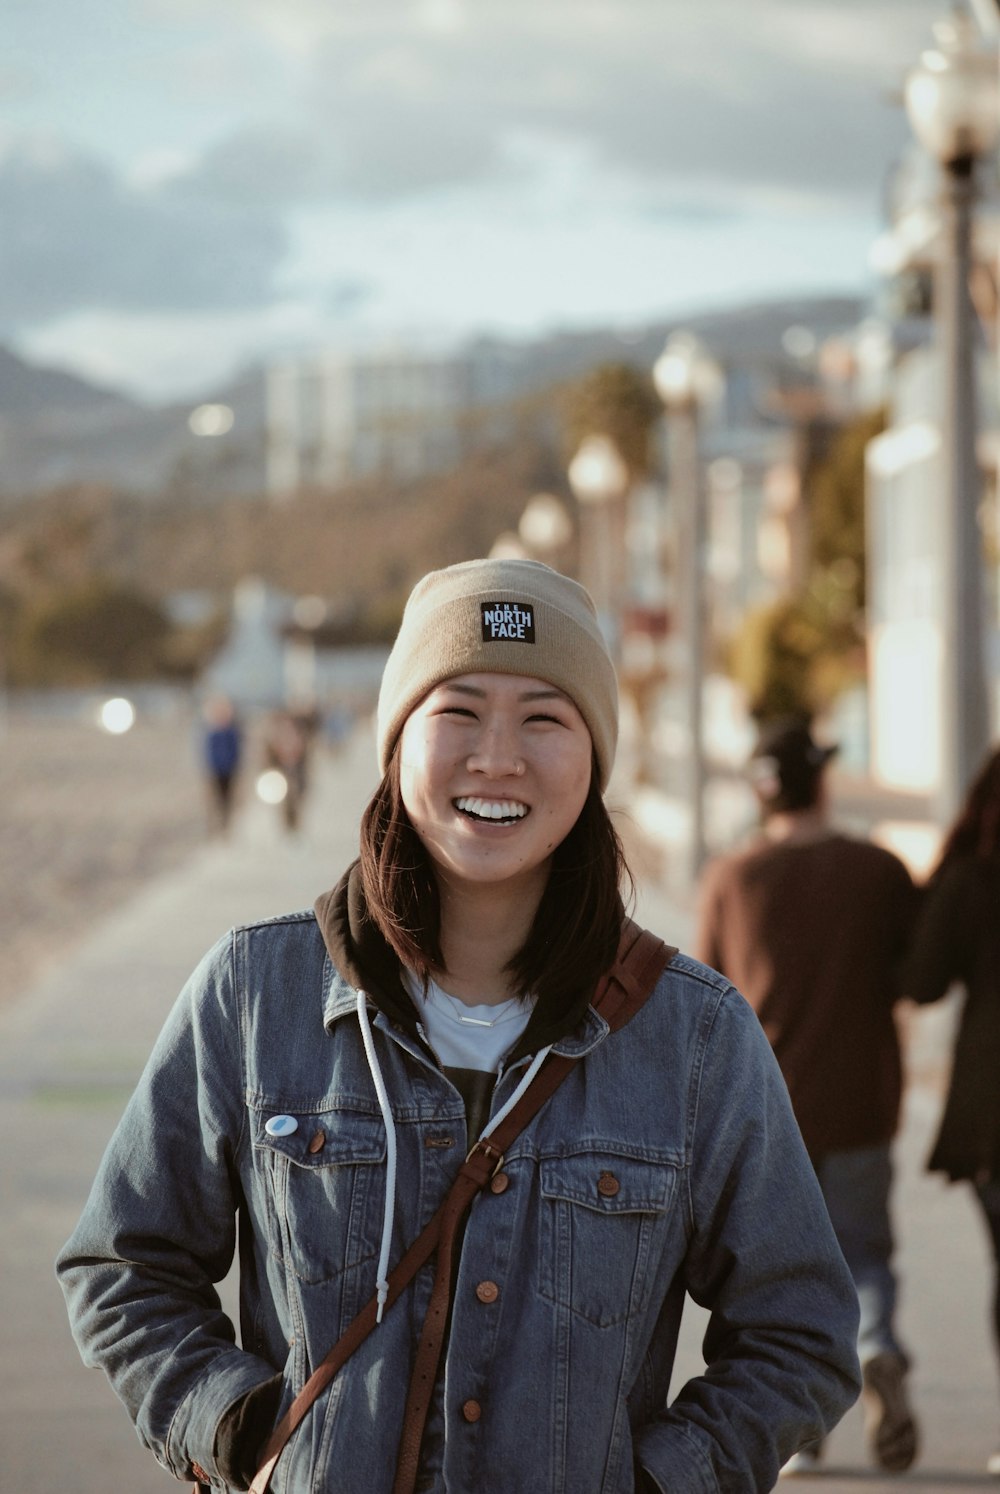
(959, 942)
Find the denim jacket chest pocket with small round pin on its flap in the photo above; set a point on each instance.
(325, 1188)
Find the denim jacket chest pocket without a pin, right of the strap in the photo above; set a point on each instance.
(600, 1217)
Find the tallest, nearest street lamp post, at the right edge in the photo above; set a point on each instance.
(951, 99)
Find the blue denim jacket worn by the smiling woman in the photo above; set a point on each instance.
(667, 1163)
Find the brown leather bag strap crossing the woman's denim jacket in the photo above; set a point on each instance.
(642, 958)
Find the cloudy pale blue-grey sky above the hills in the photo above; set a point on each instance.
(191, 185)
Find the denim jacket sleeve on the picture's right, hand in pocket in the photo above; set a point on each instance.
(781, 1345)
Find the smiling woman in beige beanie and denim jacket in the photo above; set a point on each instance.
(330, 1079)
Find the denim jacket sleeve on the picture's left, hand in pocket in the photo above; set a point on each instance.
(159, 1232)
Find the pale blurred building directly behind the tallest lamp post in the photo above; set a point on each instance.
(905, 477)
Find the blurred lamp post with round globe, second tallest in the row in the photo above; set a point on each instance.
(687, 380)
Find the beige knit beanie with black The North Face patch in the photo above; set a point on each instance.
(501, 618)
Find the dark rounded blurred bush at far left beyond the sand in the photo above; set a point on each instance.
(92, 633)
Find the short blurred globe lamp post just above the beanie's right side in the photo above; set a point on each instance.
(599, 479)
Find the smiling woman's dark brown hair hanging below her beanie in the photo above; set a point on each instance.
(576, 930)
